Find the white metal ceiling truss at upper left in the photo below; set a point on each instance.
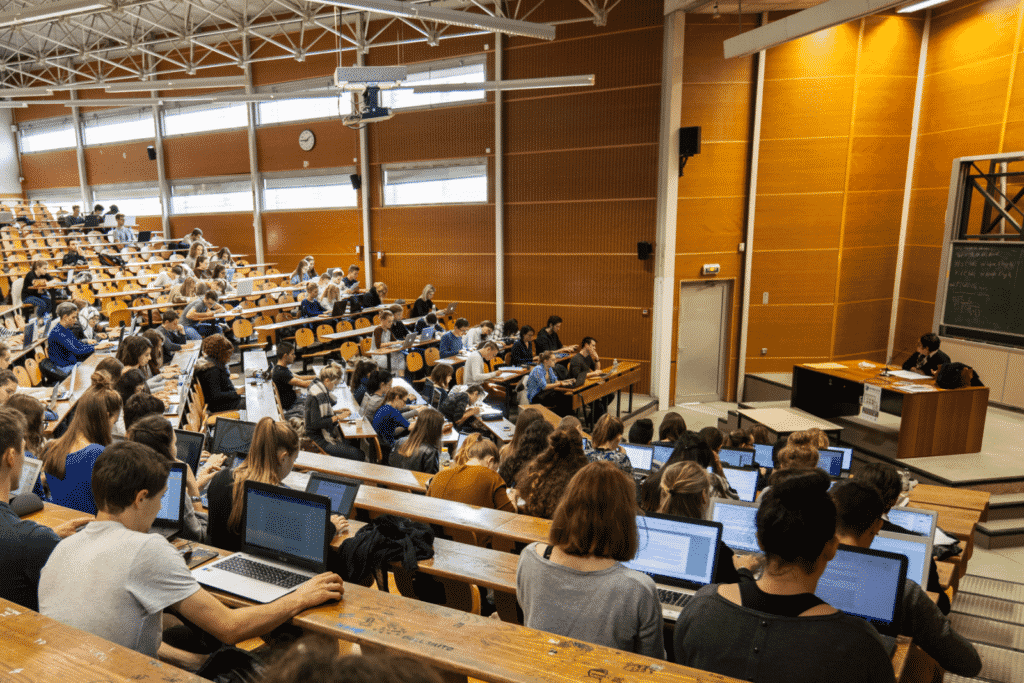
(158, 39)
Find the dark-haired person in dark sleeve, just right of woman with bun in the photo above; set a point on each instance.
(860, 509)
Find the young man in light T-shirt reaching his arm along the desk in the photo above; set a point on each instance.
(115, 580)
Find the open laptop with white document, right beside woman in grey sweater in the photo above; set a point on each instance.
(680, 554)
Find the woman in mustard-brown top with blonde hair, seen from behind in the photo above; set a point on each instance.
(474, 479)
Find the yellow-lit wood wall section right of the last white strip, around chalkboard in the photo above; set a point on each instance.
(973, 104)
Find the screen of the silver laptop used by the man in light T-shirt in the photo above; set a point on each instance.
(285, 526)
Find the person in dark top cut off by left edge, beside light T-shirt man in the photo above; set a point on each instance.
(25, 546)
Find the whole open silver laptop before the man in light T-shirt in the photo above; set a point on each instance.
(284, 544)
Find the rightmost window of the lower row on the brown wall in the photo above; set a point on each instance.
(461, 183)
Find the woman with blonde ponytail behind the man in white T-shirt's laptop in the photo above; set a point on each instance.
(272, 455)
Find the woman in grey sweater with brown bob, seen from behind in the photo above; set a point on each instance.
(576, 585)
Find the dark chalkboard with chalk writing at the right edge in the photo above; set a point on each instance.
(986, 292)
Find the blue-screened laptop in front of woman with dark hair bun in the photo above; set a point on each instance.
(868, 584)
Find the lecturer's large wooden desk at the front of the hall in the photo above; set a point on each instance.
(933, 423)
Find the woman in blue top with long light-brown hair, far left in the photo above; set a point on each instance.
(68, 461)
